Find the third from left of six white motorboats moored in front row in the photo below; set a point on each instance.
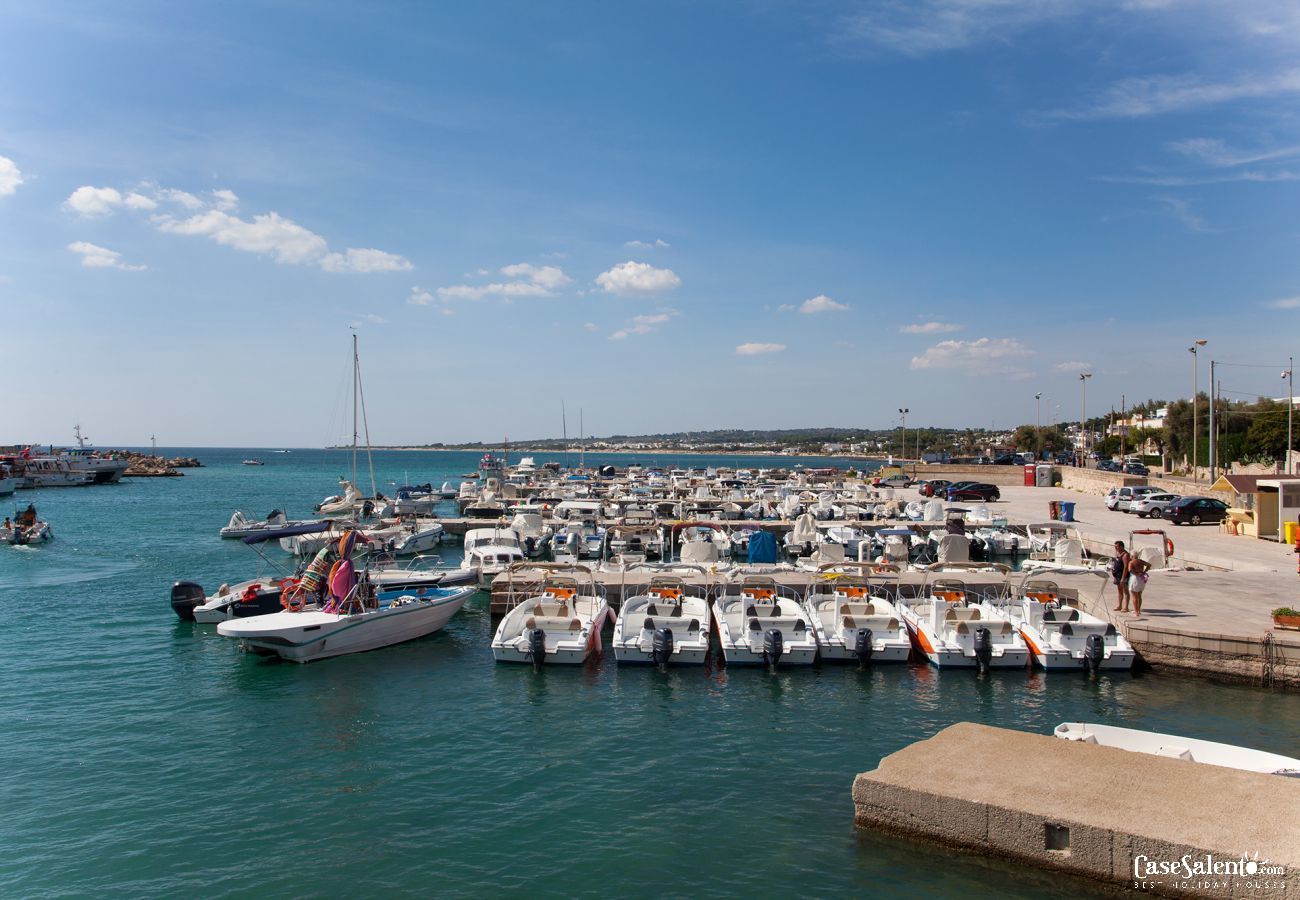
(762, 624)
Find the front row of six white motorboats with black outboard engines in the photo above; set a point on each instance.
(847, 615)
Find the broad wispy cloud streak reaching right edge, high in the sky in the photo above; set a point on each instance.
(1155, 96)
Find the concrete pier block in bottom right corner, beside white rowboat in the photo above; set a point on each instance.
(1090, 811)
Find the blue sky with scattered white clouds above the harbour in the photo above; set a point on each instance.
(671, 217)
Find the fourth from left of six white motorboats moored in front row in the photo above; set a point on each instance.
(852, 618)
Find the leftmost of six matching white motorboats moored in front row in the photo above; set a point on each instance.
(557, 622)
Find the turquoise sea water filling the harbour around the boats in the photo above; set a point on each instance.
(144, 756)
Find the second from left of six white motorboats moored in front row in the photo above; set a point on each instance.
(665, 625)
